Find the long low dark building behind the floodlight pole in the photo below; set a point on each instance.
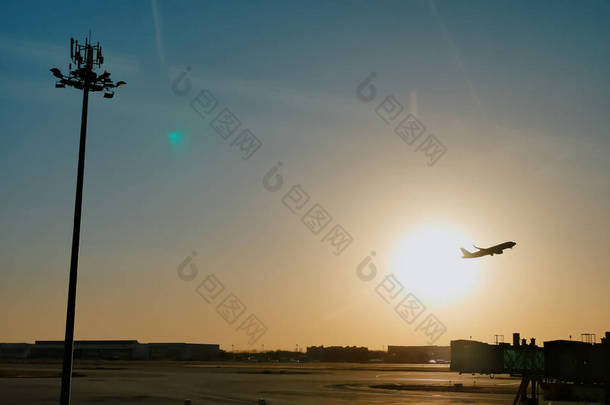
(111, 350)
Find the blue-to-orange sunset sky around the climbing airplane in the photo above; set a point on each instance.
(512, 96)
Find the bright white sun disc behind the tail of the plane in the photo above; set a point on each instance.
(429, 260)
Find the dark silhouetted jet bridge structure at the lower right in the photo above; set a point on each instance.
(565, 369)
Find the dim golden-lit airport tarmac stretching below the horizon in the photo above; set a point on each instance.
(114, 382)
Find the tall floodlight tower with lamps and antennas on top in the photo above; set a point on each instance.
(85, 58)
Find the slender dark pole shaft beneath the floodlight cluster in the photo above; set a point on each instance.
(66, 375)
